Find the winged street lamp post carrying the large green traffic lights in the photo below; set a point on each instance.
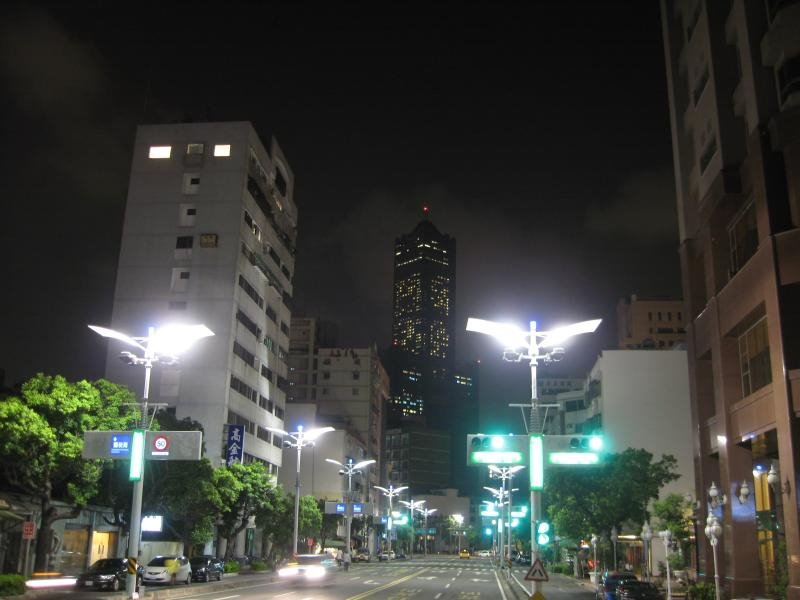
(520, 345)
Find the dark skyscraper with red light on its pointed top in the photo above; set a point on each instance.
(423, 324)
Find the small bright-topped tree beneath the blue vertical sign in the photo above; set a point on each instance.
(248, 484)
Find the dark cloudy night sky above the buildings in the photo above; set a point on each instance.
(537, 132)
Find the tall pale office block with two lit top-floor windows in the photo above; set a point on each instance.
(209, 237)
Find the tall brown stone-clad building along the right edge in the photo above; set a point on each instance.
(733, 74)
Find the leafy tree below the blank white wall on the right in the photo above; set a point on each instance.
(595, 499)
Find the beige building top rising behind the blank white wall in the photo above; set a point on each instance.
(650, 323)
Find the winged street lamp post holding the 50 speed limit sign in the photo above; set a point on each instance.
(162, 345)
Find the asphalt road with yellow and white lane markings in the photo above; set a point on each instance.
(431, 578)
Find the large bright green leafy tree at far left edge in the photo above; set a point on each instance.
(41, 439)
